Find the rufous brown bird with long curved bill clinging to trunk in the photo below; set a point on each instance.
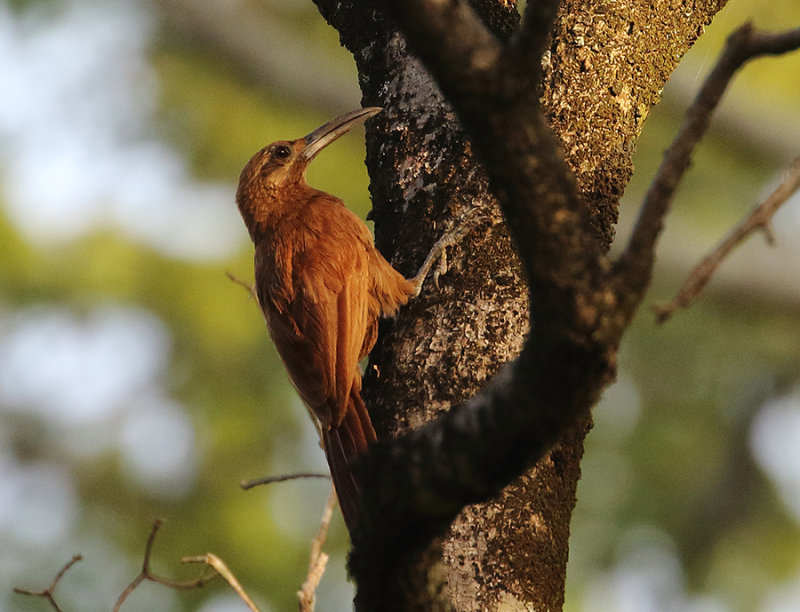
(322, 286)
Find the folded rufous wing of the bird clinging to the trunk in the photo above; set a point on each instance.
(320, 330)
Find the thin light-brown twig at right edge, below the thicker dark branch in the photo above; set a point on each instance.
(758, 219)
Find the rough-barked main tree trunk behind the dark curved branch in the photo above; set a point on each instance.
(605, 68)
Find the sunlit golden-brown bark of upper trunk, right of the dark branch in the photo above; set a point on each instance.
(606, 68)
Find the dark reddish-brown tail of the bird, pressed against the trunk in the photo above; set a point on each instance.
(343, 443)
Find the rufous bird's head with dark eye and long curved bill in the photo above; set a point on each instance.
(271, 178)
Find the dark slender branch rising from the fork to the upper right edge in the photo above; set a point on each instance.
(636, 263)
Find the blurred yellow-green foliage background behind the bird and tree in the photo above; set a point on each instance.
(674, 511)
